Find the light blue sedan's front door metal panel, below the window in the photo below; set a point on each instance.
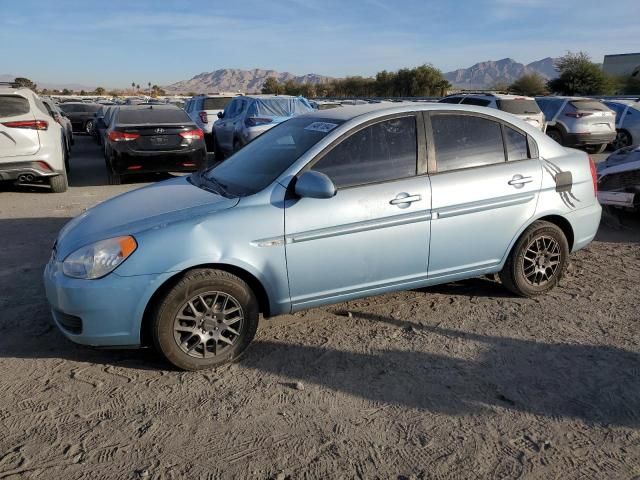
(364, 238)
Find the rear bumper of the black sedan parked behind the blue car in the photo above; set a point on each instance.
(143, 162)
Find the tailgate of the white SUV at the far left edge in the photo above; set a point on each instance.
(16, 136)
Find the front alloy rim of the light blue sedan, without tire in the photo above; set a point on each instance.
(208, 324)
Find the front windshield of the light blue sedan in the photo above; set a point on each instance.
(261, 161)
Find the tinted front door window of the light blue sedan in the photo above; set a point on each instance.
(380, 152)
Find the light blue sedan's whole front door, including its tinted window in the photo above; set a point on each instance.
(373, 235)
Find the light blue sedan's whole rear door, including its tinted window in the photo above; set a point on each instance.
(484, 189)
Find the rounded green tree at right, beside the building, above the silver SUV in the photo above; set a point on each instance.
(580, 76)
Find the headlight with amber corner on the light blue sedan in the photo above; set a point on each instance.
(98, 259)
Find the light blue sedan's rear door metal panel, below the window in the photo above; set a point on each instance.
(476, 213)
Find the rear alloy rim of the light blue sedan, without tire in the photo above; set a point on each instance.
(541, 260)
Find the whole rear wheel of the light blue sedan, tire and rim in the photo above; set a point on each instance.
(517, 274)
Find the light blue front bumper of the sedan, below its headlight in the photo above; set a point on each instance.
(106, 312)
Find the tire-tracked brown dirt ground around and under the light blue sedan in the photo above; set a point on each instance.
(458, 381)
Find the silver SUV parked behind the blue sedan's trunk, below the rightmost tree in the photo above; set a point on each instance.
(579, 122)
